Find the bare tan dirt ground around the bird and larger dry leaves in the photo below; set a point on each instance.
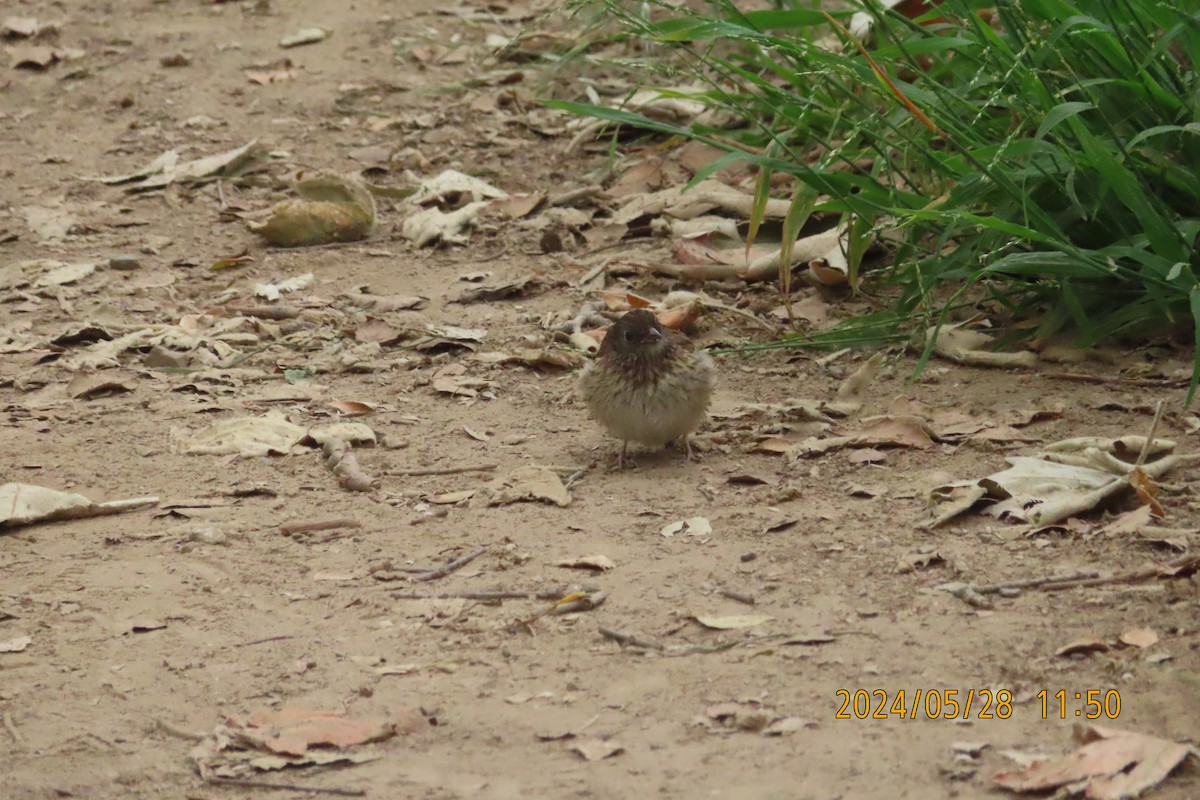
(154, 627)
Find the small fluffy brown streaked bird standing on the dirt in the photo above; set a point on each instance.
(646, 384)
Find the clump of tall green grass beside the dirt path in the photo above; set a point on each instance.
(1046, 164)
